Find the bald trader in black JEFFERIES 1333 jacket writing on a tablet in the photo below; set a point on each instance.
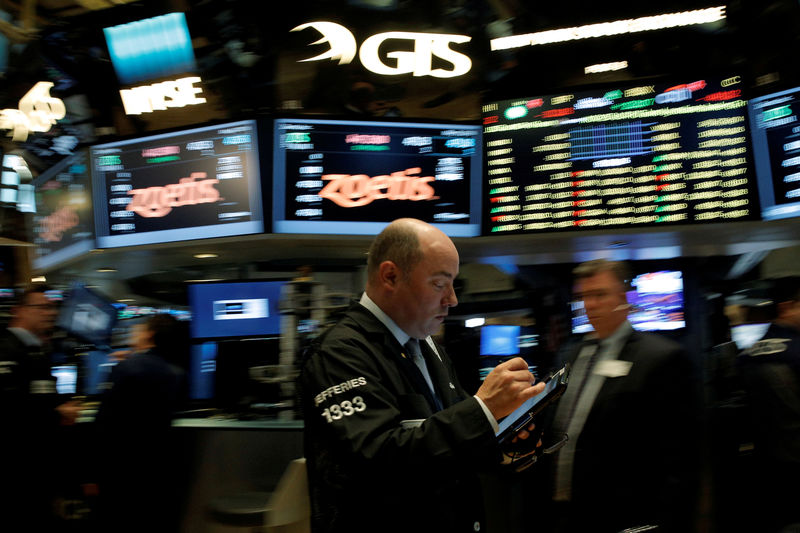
(389, 448)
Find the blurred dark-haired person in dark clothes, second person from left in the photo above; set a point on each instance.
(138, 472)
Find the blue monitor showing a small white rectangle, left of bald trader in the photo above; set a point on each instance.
(235, 309)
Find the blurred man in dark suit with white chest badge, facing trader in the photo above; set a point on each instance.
(631, 417)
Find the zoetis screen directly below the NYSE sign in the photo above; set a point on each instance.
(192, 184)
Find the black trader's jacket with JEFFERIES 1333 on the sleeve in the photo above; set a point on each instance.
(374, 465)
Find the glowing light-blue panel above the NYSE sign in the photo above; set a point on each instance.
(150, 48)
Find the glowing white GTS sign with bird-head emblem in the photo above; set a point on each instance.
(425, 46)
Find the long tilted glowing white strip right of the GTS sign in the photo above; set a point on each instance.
(607, 29)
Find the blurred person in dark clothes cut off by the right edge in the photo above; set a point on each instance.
(770, 375)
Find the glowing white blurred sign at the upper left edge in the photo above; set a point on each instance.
(38, 111)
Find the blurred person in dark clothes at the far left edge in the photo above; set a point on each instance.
(31, 412)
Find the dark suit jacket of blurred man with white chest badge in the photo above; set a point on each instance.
(636, 457)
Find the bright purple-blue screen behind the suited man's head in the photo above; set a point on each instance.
(656, 303)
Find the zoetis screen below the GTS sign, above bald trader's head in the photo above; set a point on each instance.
(354, 177)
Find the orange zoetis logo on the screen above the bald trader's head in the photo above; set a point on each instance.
(358, 190)
